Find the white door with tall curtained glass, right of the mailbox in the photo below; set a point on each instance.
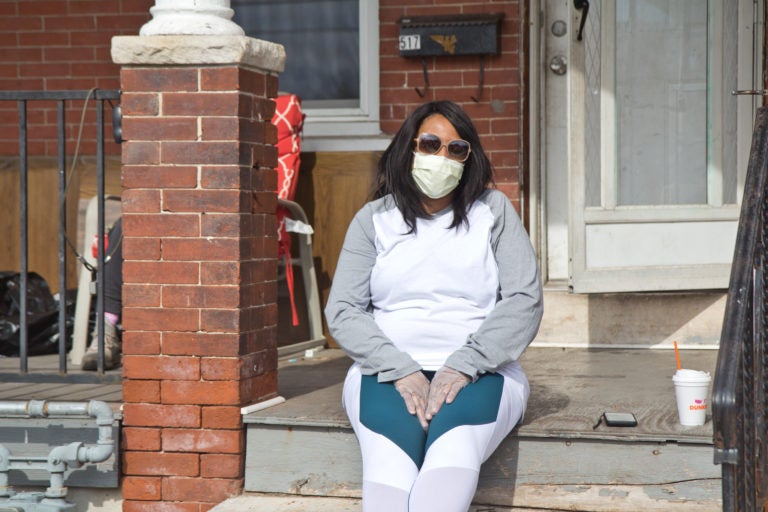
(646, 160)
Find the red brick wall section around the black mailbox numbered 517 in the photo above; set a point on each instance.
(500, 113)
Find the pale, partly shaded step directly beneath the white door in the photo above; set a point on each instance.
(638, 320)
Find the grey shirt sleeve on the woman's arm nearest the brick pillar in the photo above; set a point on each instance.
(349, 313)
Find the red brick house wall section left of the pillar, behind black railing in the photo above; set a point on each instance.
(60, 44)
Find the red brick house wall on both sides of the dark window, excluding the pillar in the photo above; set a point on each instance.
(65, 44)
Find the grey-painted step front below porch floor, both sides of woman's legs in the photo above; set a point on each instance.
(524, 471)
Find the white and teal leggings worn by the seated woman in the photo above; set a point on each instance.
(406, 469)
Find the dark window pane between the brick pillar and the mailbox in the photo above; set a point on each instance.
(321, 39)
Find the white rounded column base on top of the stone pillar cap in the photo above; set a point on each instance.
(191, 17)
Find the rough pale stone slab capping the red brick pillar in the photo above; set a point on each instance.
(197, 50)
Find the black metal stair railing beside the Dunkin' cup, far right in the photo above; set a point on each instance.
(740, 391)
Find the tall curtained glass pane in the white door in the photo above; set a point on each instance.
(661, 103)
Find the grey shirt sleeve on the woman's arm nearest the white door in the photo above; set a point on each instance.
(514, 321)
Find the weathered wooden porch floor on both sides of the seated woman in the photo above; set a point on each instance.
(570, 389)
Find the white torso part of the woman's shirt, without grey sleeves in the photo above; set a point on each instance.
(433, 288)
